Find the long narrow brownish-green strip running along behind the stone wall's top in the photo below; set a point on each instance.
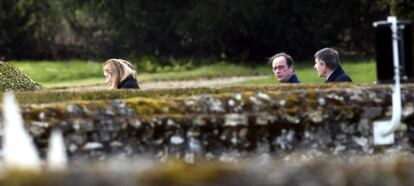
(60, 96)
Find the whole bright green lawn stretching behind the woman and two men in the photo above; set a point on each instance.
(70, 73)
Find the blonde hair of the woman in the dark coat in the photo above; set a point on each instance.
(119, 69)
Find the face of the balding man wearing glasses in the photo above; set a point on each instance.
(281, 70)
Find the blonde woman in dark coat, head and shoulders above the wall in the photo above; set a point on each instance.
(120, 74)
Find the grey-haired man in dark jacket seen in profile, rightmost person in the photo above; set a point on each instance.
(327, 65)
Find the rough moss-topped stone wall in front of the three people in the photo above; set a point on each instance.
(223, 126)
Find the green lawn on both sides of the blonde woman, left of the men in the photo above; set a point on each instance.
(53, 74)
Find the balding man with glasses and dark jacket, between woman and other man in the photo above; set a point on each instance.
(282, 66)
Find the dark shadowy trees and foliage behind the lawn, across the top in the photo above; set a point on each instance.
(238, 30)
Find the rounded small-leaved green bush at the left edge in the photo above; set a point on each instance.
(12, 78)
